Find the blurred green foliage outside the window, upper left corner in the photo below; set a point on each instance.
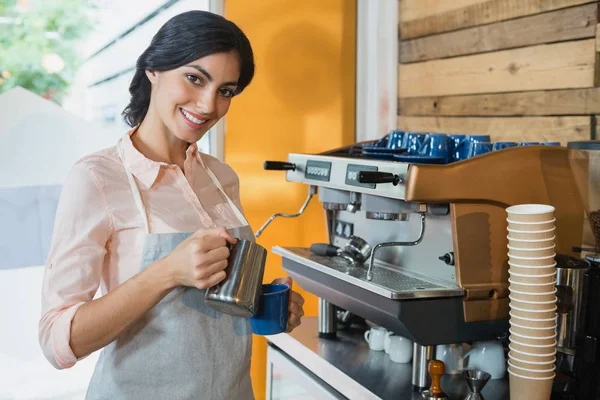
(40, 44)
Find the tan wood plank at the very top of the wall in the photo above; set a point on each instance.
(472, 14)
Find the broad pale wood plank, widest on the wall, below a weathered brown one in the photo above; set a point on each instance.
(551, 66)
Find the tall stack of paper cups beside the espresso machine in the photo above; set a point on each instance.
(532, 285)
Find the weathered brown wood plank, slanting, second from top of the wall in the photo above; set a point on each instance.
(558, 26)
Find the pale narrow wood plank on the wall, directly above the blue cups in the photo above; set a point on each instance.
(517, 129)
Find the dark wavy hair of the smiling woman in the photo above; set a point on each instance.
(184, 38)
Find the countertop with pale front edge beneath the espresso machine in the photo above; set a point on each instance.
(350, 367)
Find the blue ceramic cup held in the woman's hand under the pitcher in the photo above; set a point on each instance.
(272, 314)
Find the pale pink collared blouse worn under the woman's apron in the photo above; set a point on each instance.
(99, 233)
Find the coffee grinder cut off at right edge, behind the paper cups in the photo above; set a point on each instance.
(578, 357)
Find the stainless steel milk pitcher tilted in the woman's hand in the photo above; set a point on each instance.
(238, 294)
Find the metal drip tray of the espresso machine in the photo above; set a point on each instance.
(387, 282)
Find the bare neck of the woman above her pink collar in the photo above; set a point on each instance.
(154, 140)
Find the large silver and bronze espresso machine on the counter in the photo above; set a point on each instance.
(438, 271)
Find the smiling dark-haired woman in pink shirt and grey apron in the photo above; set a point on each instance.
(150, 220)
